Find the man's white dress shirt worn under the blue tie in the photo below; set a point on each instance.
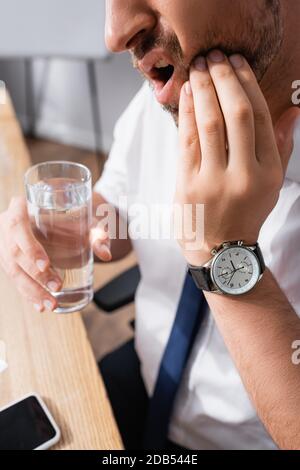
(212, 409)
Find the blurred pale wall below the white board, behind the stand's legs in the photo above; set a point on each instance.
(66, 113)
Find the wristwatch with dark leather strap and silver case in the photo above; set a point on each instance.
(234, 269)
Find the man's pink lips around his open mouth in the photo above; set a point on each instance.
(164, 92)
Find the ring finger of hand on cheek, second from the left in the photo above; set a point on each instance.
(209, 117)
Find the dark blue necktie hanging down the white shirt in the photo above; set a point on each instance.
(189, 317)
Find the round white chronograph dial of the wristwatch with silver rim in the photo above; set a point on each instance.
(235, 270)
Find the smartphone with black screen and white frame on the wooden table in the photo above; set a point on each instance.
(27, 424)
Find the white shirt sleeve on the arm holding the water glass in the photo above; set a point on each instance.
(113, 183)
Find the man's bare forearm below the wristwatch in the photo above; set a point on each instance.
(259, 329)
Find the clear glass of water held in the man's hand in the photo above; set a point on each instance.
(59, 200)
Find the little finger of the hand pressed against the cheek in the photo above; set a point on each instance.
(189, 145)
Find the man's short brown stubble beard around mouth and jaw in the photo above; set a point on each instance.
(258, 39)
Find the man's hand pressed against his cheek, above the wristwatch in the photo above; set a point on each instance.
(230, 159)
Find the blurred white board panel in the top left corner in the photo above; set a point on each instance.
(52, 28)
